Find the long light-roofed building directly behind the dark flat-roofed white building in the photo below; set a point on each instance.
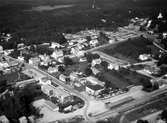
(94, 81)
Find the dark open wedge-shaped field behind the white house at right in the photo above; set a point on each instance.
(129, 50)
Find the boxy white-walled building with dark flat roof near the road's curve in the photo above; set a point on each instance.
(93, 89)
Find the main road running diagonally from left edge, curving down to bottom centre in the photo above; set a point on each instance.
(66, 88)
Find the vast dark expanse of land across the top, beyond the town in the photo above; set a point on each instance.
(42, 19)
